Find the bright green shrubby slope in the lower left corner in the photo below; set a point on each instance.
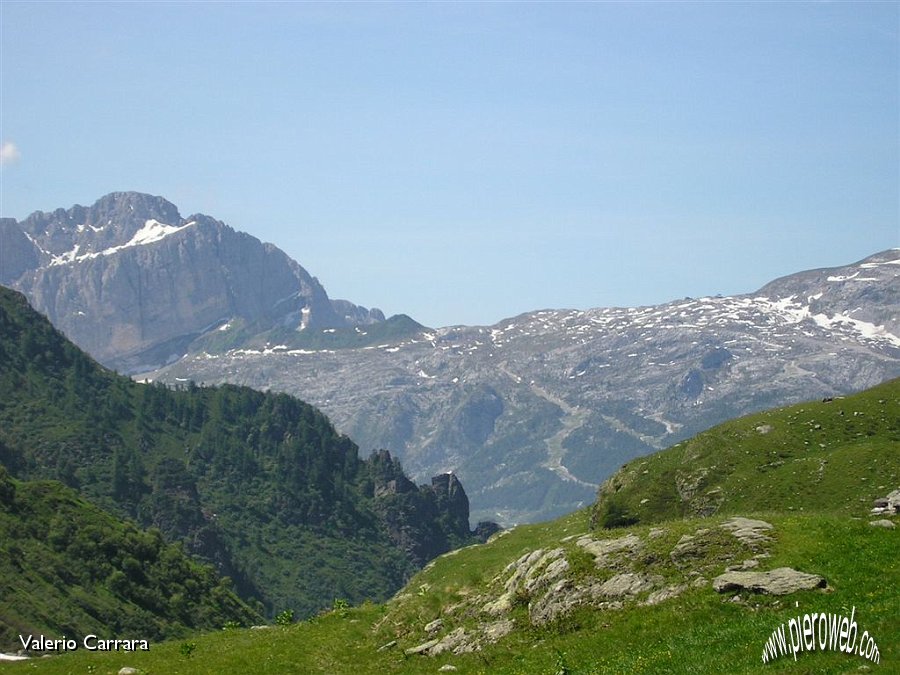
(68, 568)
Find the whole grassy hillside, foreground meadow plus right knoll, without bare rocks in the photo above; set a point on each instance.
(696, 630)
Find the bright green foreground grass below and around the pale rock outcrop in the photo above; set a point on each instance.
(698, 632)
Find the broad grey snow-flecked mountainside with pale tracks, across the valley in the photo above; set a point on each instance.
(535, 412)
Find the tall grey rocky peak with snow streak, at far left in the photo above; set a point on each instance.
(133, 283)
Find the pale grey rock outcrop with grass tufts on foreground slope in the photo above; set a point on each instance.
(624, 570)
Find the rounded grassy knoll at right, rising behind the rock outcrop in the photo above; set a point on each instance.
(829, 456)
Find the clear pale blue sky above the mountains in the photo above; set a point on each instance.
(462, 162)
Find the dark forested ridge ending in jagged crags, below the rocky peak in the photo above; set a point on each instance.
(259, 484)
